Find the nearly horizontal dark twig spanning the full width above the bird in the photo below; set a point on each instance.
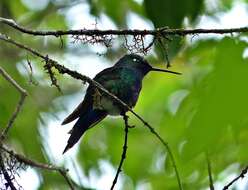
(155, 32)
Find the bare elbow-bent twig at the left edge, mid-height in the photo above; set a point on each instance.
(20, 102)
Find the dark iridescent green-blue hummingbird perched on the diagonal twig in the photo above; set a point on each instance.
(124, 80)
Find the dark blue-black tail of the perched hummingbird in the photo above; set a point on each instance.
(84, 122)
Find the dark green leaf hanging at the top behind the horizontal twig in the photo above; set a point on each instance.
(167, 13)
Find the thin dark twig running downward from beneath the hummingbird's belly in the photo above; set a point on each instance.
(123, 156)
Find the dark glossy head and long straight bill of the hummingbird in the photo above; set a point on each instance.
(139, 63)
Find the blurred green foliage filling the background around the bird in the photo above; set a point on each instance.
(202, 112)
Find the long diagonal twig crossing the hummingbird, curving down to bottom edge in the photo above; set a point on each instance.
(61, 69)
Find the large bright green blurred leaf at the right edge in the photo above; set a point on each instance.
(219, 102)
